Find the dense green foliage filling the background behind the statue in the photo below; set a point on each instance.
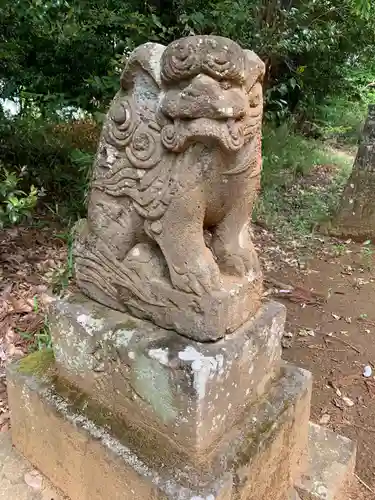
(58, 57)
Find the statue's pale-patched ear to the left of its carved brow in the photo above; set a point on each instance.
(145, 58)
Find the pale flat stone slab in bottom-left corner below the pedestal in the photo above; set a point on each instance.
(14, 469)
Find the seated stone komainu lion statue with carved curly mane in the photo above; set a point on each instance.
(174, 182)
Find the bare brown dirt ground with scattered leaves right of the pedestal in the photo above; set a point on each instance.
(330, 331)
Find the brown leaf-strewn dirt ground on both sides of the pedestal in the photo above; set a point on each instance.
(330, 330)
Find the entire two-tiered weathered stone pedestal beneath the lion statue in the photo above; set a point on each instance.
(123, 409)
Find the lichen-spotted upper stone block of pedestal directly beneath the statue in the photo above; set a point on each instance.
(189, 391)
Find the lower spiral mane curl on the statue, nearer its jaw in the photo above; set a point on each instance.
(145, 150)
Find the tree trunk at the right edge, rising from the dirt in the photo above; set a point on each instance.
(355, 217)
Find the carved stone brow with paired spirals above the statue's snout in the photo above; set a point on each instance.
(216, 56)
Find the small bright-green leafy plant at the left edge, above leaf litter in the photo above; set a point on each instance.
(15, 204)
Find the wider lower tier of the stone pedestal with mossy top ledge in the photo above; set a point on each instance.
(62, 436)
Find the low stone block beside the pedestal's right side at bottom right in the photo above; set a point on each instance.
(331, 466)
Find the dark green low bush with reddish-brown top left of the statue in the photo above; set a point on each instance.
(55, 162)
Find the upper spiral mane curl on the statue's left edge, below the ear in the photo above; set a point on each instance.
(123, 121)
